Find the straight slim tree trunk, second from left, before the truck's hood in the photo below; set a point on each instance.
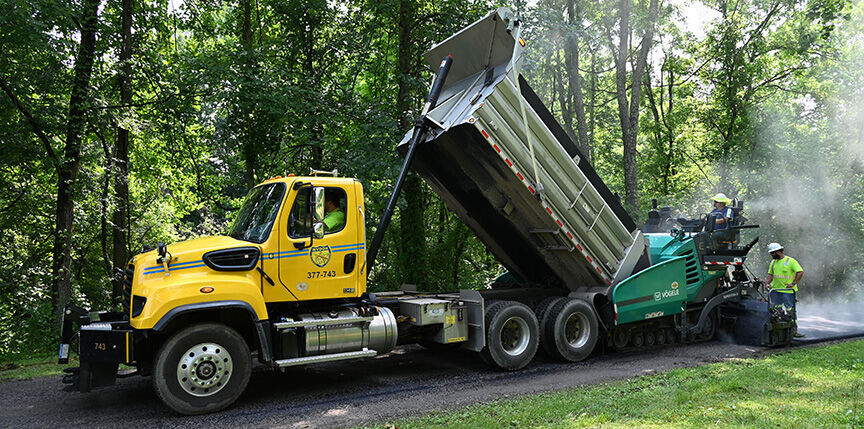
(121, 182)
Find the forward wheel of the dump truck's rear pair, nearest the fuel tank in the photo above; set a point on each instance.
(512, 335)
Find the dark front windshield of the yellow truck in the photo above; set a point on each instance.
(258, 213)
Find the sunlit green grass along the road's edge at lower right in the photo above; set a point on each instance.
(818, 387)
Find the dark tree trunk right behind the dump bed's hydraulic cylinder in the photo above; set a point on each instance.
(411, 219)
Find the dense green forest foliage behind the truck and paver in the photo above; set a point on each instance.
(228, 94)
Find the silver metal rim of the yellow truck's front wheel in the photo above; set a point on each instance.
(204, 369)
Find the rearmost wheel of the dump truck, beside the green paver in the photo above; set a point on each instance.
(570, 331)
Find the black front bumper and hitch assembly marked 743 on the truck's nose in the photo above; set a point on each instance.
(104, 340)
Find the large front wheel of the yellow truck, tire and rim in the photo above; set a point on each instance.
(202, 369)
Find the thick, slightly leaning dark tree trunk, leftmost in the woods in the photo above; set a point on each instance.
(67, 171)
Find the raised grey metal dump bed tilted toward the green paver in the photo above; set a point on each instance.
(500, 161)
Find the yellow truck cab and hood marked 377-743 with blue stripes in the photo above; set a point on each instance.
(270, 255)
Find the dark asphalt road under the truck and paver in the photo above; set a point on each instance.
(406, 382)
